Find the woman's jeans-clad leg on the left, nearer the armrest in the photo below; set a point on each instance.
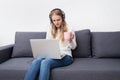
(33, 69)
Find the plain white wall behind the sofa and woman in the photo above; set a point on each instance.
(32, 15)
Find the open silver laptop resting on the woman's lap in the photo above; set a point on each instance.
(45, 48)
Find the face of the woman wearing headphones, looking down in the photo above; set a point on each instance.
(57, 20)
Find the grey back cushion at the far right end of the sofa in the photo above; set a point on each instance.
(106, 44)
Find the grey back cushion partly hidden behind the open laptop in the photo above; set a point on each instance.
(22, 47)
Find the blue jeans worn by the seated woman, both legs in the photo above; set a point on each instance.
(41, 67)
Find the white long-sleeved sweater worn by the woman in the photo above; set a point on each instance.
(65, 48)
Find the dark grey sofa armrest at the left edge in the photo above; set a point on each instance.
(5, 52)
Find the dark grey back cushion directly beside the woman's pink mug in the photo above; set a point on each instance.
(83, 48)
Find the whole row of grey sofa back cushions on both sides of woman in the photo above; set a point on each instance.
(89, 44)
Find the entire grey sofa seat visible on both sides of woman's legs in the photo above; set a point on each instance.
(80, 69)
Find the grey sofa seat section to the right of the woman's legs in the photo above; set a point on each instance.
(89, 69)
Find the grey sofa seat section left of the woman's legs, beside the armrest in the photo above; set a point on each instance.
(14, 69)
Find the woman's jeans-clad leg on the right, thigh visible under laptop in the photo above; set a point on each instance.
(48, 64)
